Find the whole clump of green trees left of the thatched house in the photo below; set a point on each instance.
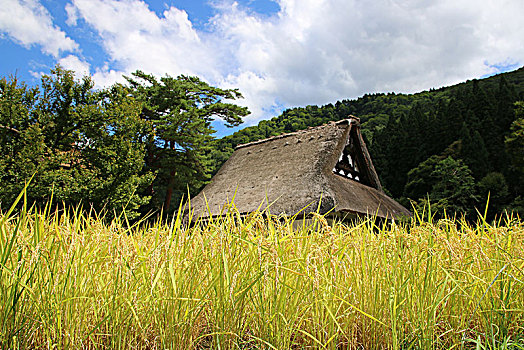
(139, 146)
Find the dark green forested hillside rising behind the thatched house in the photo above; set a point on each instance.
(455, 144)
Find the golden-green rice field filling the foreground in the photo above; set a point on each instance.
(70, 280)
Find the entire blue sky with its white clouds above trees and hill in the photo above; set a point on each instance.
(279, 53)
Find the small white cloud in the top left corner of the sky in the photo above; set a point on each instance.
(29, 23)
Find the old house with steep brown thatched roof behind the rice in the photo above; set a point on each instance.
(329, 164)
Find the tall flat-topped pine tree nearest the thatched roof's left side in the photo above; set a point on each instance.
(180, 111)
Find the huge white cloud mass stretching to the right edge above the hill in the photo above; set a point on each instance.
(311, 51)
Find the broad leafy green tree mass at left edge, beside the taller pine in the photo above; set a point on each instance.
(84, 146)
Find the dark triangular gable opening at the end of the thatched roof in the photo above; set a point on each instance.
(355, 162)
